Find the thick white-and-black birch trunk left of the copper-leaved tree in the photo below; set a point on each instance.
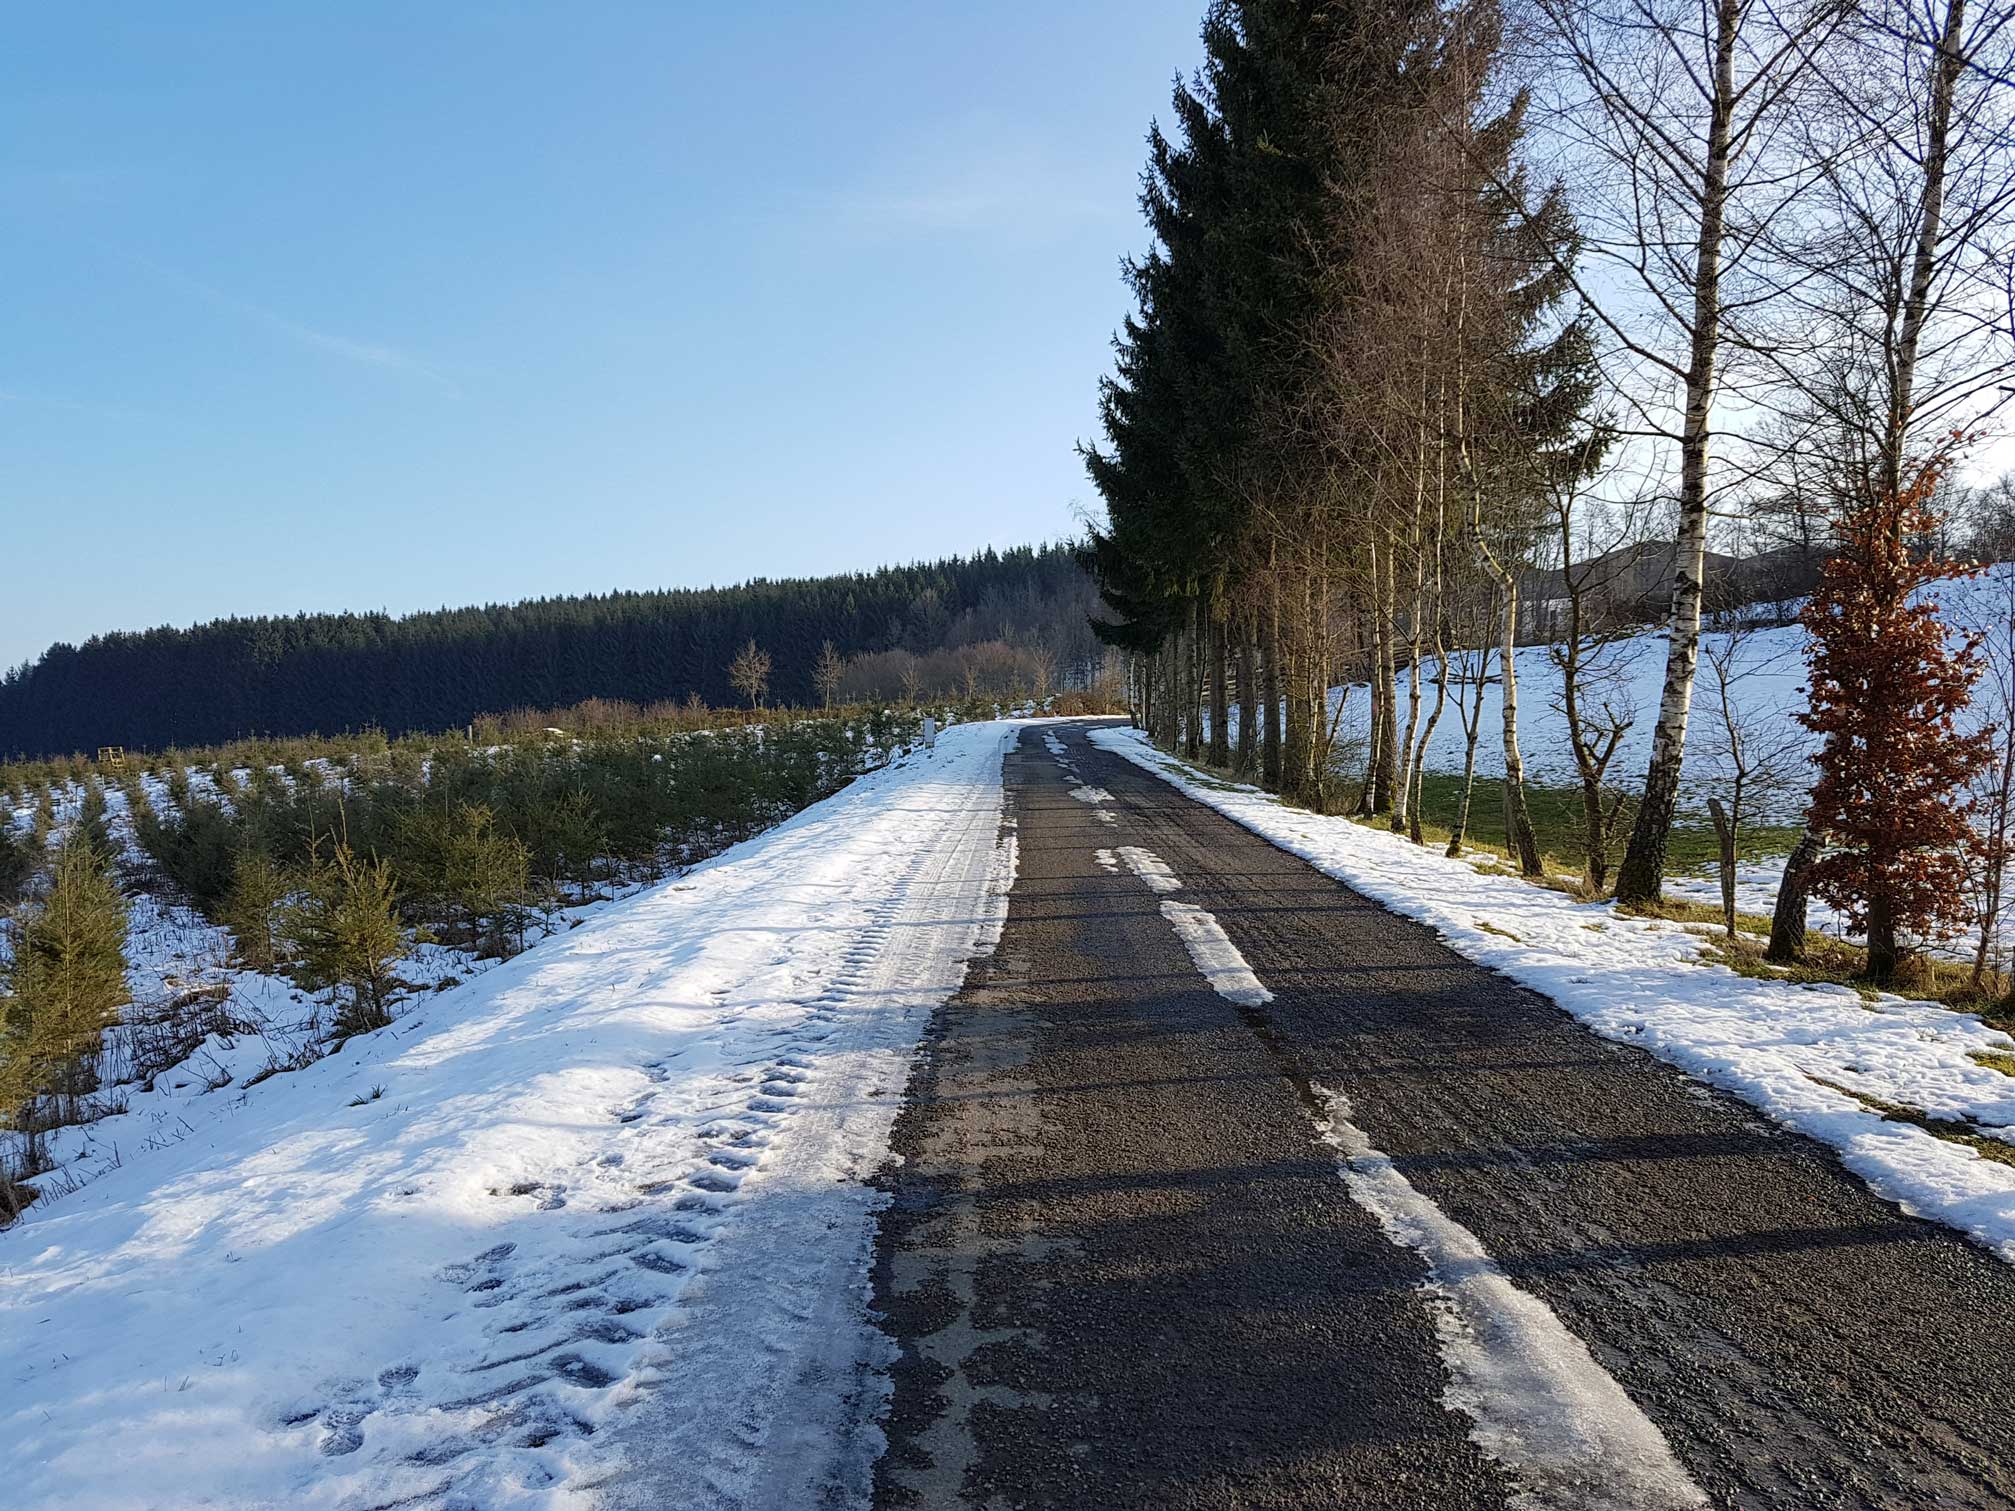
(1641, 877)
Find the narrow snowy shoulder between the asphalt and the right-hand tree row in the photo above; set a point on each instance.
(1792, 1051)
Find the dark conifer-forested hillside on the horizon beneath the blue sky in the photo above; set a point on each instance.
(928, 624)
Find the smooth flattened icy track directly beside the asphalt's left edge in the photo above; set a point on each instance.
(781, 1317)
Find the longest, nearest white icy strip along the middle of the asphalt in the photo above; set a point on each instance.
(1538, 1403)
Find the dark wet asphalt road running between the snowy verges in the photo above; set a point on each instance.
(1123, 1266)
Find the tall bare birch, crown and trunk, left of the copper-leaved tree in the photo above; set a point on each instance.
(1671, 116)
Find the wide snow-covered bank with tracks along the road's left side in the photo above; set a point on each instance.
(458, 1262)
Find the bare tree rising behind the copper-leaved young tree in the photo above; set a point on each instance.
(1909, 267)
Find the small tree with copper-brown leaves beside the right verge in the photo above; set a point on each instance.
(1887, 690)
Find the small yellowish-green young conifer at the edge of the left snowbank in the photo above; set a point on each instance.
(346, 934)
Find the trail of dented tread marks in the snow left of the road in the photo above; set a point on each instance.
(603, 1321)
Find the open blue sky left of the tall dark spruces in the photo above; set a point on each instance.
(388, 307)
